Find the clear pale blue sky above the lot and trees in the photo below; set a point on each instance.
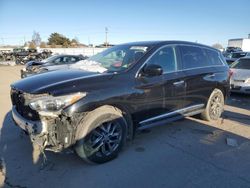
(207, 22)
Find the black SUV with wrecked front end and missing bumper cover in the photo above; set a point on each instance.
(97, 107)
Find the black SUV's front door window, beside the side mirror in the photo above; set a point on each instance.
(166, 58)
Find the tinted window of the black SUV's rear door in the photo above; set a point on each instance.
(193, 57)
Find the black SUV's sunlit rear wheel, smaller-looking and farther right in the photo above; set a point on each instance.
(214, 106)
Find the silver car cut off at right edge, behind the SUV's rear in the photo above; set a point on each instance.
(240, 79)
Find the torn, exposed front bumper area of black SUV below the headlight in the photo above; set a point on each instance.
(50, 133)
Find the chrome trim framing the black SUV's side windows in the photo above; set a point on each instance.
(174, 45)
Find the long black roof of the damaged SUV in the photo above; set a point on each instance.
(161, 43)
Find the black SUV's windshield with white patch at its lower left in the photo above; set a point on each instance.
(115, 59)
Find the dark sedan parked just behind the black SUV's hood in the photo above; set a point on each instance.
(52, 63)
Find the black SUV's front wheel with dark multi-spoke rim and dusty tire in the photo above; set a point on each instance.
(106, 130)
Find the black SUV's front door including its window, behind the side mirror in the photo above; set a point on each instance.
(165, 93)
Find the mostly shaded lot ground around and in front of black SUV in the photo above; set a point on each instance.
(187, 153)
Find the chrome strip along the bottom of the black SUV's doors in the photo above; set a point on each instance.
(181, 111)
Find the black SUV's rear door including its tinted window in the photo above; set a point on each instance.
(200, 74)
